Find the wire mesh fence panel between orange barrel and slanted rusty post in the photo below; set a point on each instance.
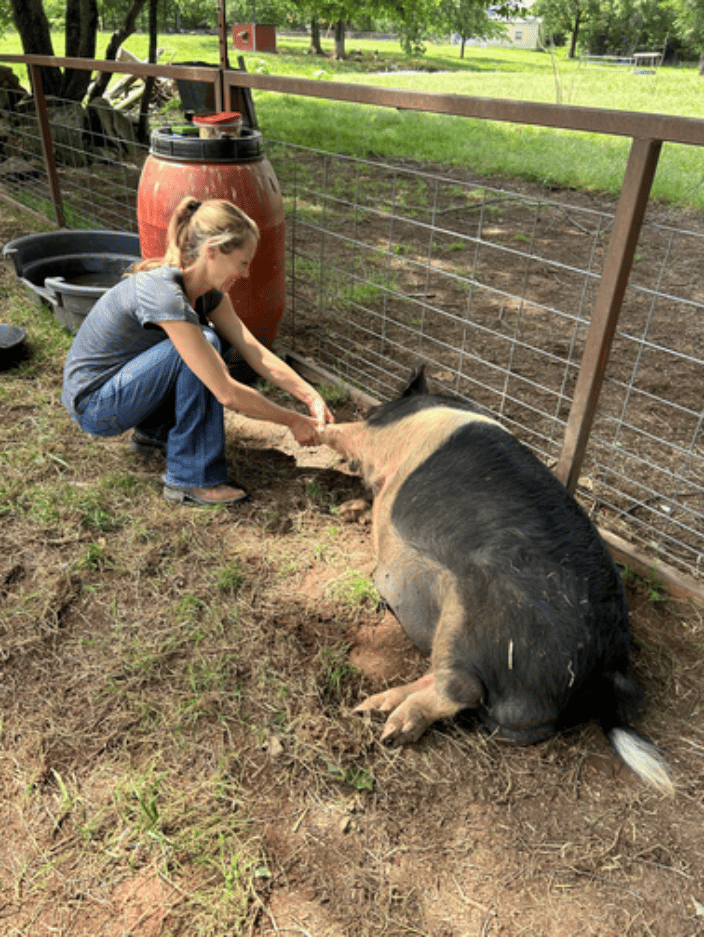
(392, 264)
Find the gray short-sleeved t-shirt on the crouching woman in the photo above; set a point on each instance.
(124, 323)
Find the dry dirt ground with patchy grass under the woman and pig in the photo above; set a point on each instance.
(454, 836)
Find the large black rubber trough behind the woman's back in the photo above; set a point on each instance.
(70, 270)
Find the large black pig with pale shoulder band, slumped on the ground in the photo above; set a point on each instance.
(496, 574)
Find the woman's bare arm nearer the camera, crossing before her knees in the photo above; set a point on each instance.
(200, 356)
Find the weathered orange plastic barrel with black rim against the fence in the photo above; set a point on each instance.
(233, 168)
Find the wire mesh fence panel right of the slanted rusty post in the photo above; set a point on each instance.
(647, 447)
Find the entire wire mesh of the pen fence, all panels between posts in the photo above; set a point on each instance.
(491, 285)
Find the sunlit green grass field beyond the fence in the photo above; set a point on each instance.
(588, 162)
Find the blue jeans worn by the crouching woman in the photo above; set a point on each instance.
(159, 395)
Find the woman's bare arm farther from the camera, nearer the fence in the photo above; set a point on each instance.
(266, 363)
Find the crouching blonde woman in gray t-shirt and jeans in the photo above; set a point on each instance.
(152, 356)
